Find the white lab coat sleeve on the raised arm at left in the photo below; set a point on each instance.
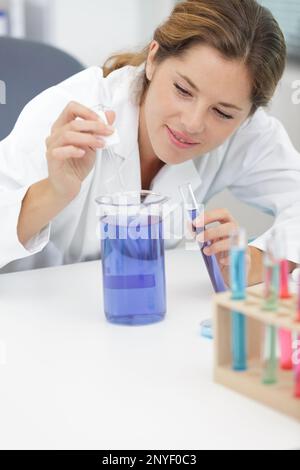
(23, 155)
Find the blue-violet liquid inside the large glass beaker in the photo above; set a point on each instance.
(133, 271)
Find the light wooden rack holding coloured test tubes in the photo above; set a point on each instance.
(278, 396)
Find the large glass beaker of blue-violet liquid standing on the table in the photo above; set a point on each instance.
(132, 252)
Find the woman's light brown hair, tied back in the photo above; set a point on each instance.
(239, 29)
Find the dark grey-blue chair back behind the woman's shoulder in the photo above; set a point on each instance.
(26, 69)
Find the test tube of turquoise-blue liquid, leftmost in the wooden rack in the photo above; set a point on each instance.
(238, 245)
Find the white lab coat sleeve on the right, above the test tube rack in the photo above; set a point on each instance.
(269, 177)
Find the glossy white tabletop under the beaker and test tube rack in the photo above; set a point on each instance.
(71, 380)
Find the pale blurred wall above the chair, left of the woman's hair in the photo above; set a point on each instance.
(91, 30)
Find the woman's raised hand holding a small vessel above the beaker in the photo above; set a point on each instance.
(72, 145)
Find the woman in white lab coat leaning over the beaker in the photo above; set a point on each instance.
(188, 107)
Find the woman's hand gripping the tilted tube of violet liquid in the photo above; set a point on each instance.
(219, 238)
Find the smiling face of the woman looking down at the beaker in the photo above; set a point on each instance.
(193, 104)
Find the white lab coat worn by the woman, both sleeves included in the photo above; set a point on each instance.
(258, 163)
